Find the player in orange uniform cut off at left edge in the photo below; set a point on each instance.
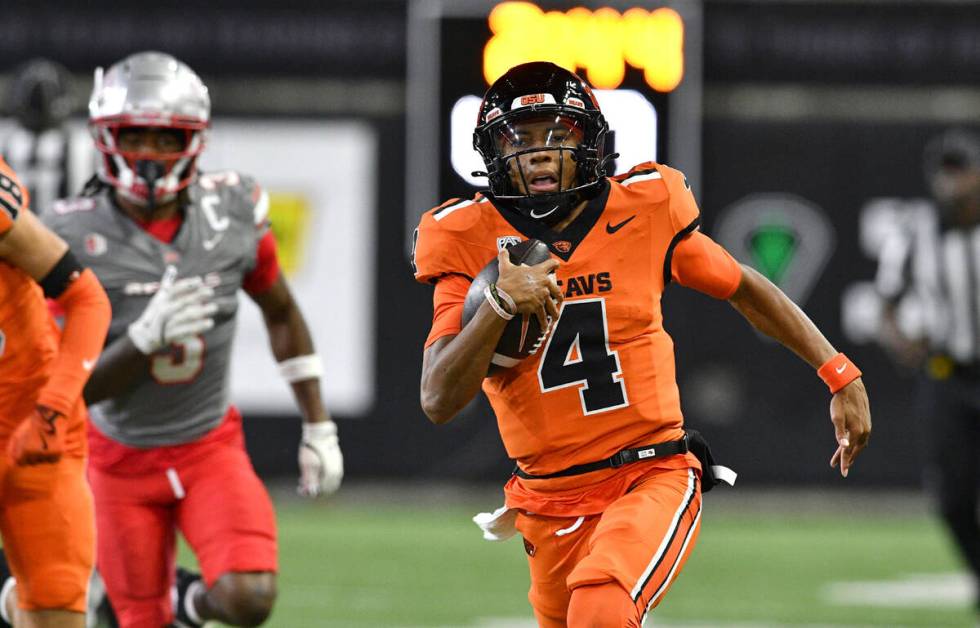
(46, 515)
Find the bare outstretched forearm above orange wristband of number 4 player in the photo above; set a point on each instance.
(774, 314)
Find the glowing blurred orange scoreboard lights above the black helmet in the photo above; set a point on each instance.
(600, 42)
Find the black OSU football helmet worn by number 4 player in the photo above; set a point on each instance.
(572, 135)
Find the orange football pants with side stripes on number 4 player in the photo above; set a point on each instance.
(640, 543)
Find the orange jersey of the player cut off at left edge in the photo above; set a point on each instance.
(28, 334)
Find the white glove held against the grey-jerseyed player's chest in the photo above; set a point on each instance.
(178, 309)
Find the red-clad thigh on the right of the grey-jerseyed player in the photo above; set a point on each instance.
(226, 514)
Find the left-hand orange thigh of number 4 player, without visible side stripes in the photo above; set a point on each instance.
(554, 545)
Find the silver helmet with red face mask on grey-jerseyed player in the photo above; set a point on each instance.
(149, 91)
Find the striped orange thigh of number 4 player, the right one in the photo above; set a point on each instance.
(644, 538)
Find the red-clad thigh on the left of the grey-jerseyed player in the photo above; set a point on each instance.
(137, 544)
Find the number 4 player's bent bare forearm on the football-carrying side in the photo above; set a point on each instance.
(452, 370)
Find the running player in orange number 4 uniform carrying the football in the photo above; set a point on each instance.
(607, 492)
